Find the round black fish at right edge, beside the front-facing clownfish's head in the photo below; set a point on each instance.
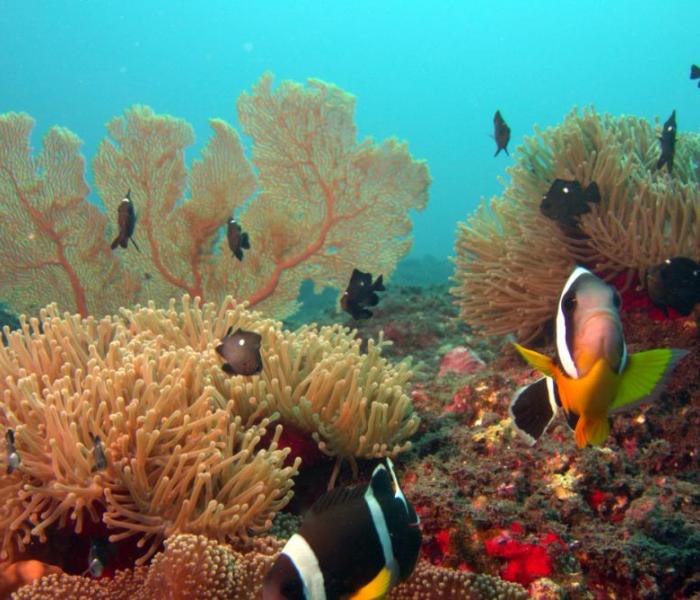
(675, 283)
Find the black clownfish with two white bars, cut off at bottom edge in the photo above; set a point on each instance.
(356, 543)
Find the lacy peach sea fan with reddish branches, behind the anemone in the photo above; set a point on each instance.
(322, 204)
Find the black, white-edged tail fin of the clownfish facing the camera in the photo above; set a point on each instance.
(533, 408)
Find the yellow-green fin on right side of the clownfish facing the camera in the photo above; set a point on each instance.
(645, 376)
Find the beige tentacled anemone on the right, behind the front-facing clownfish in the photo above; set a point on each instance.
(511, 261)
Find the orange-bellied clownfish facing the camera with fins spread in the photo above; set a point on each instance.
(592, 374)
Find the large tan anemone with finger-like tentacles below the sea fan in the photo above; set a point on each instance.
(182, 439)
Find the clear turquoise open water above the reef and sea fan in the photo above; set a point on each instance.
(430, 72)
